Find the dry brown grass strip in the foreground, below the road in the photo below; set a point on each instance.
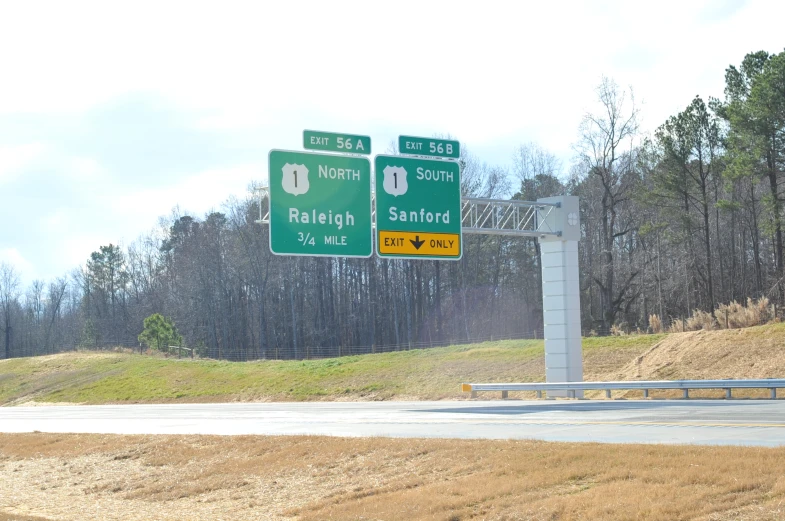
(70, 477)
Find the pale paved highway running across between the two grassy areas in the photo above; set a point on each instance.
(714, 422)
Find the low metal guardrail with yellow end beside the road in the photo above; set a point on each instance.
(772, 384)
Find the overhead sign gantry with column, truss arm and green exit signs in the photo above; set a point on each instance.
(322, 205)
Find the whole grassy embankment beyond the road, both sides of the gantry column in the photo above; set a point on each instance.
(88, 377)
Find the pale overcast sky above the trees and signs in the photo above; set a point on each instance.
(112, 113)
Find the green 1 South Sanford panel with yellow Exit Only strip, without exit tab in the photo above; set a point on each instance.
(418, 208)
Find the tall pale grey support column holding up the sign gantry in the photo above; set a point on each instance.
(561, 294)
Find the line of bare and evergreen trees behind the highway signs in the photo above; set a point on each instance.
(685, 219)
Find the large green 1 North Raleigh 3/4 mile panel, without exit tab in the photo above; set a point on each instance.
(320, 204)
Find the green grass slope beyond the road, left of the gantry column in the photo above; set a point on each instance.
(89, 377)
